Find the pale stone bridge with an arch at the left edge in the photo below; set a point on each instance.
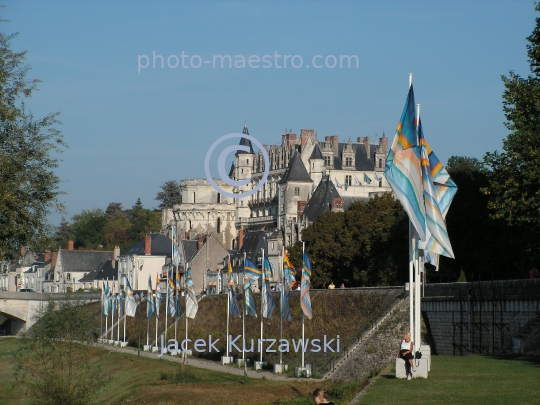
(18, 310)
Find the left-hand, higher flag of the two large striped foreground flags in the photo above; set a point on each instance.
(403, 169)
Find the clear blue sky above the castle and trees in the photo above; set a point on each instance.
(131, 128)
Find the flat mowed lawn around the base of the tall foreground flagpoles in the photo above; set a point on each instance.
(462, 380)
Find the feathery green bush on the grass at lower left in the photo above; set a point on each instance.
(55, 361)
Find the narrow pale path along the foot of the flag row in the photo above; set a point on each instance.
(207, 364)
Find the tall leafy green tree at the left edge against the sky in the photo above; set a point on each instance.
(28, 150)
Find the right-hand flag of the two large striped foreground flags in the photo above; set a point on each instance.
(439, 190)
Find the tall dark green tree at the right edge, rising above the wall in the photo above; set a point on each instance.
(514, 174)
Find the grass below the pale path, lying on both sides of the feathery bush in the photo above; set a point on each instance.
(154, 381)
